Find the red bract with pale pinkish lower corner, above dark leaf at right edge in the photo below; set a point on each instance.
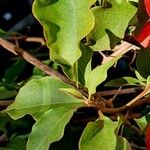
(144, 35)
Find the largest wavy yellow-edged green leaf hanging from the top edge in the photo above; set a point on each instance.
(65, 23)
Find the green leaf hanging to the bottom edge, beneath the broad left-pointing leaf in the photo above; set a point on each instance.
(49, 127)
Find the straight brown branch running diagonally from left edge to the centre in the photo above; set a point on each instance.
(37, 63)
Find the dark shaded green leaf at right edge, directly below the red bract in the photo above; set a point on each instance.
(143, 62)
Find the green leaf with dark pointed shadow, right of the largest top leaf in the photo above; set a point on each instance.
(109, 21)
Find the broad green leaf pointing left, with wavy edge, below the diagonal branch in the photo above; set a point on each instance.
(38, 96)
